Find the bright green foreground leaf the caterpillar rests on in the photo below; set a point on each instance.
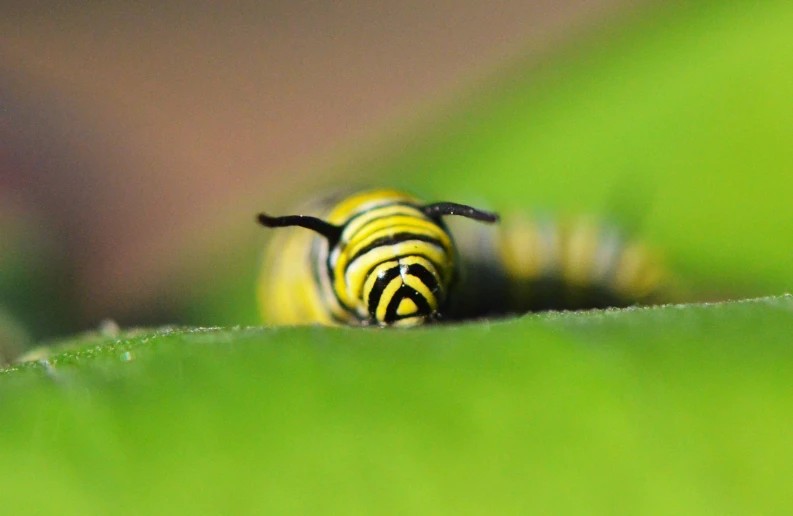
(668, 410)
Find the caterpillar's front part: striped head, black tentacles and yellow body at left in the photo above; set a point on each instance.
(374, 257)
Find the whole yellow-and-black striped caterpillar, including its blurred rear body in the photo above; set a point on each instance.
(384, 257)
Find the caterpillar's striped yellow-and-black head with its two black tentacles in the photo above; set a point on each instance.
(391, 263)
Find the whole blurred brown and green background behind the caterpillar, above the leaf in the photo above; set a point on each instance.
(138, 139)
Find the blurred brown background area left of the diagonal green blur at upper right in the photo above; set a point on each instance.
(140, 134)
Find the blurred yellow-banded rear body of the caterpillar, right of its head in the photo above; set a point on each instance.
(531, 264)
